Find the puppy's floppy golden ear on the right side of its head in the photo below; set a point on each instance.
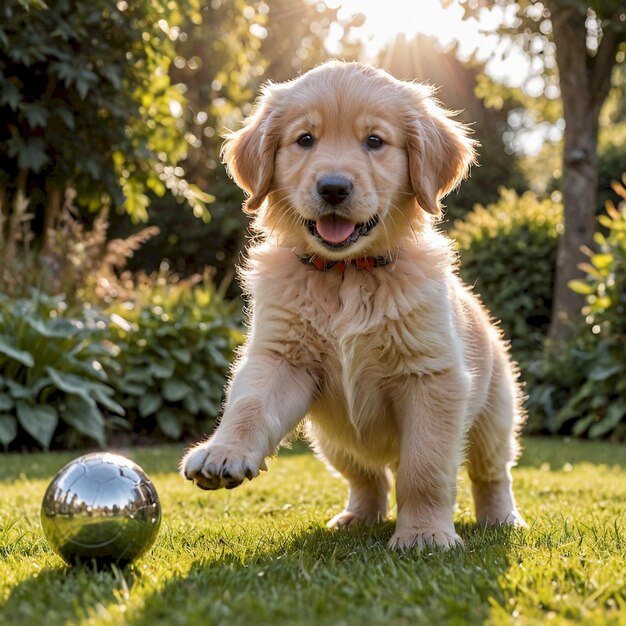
(439, 149)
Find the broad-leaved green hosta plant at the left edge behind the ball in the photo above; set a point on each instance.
(52, 386)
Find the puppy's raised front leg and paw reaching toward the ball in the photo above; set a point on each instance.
(267, 399)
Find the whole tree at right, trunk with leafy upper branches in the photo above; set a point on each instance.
(581, 40)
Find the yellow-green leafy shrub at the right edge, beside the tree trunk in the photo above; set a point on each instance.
(582, 387)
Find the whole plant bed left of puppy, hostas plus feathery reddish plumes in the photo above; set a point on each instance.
(109, 350)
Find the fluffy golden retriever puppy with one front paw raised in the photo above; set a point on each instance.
(359, 322)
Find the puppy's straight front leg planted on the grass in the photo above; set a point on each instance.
(430, 410)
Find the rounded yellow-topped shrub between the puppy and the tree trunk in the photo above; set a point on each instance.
(508, 252)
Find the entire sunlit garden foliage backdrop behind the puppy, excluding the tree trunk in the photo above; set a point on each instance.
(120, 230)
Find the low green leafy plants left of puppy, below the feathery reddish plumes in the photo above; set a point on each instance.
(153, 367)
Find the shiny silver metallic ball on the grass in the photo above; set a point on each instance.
(101, 506)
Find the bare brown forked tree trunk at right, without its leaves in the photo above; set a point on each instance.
(584, 83)
